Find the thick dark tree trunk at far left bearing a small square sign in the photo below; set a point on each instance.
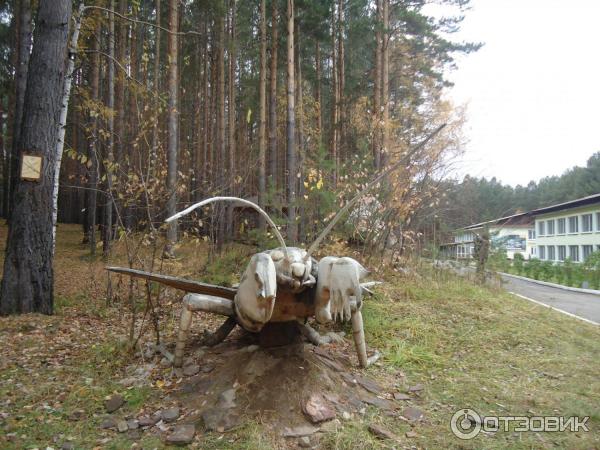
(27, 285)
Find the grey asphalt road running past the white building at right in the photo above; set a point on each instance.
(583, 305)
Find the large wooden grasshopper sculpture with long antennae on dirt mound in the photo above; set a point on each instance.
(285, 284)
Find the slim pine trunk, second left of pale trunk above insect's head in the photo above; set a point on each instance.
(262, 105)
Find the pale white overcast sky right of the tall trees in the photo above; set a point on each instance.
(533, 90)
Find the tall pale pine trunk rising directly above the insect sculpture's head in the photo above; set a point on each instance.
(291, 127)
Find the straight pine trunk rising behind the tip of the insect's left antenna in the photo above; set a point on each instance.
(172, 128)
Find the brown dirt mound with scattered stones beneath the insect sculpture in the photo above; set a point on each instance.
(298, 388)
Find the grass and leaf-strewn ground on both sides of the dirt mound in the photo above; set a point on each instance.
(470, 346)
